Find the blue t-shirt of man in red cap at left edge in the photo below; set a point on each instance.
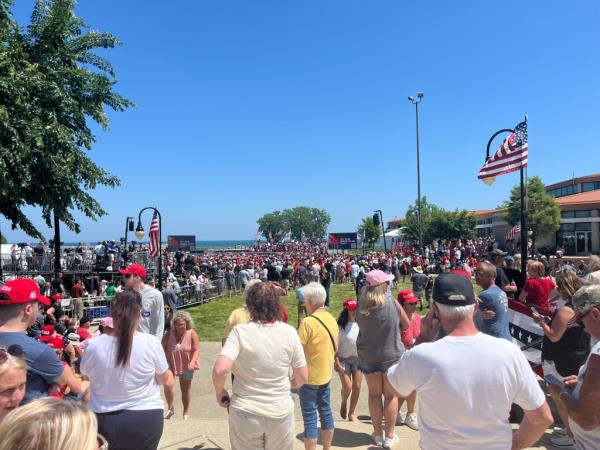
(43, 366)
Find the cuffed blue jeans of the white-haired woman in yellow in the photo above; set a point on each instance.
(313, 398)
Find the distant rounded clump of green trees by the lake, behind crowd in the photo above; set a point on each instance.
(312, 222)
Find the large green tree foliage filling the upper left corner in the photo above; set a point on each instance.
(52, 83)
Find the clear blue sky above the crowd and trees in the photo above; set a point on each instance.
(248, 107)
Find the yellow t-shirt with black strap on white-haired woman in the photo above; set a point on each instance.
(318, 348)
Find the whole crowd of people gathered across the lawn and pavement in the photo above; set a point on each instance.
(107, 382)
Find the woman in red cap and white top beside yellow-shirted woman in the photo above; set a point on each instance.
(346, 362)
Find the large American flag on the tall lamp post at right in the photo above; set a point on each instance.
(511, 156)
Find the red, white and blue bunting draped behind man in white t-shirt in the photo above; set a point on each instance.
(525, 331)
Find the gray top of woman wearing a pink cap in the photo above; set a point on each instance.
(379, 336)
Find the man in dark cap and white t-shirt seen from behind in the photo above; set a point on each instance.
(467, 381)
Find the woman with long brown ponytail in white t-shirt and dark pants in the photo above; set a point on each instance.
(125, 370)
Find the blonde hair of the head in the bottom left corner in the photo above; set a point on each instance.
(49, 423)
